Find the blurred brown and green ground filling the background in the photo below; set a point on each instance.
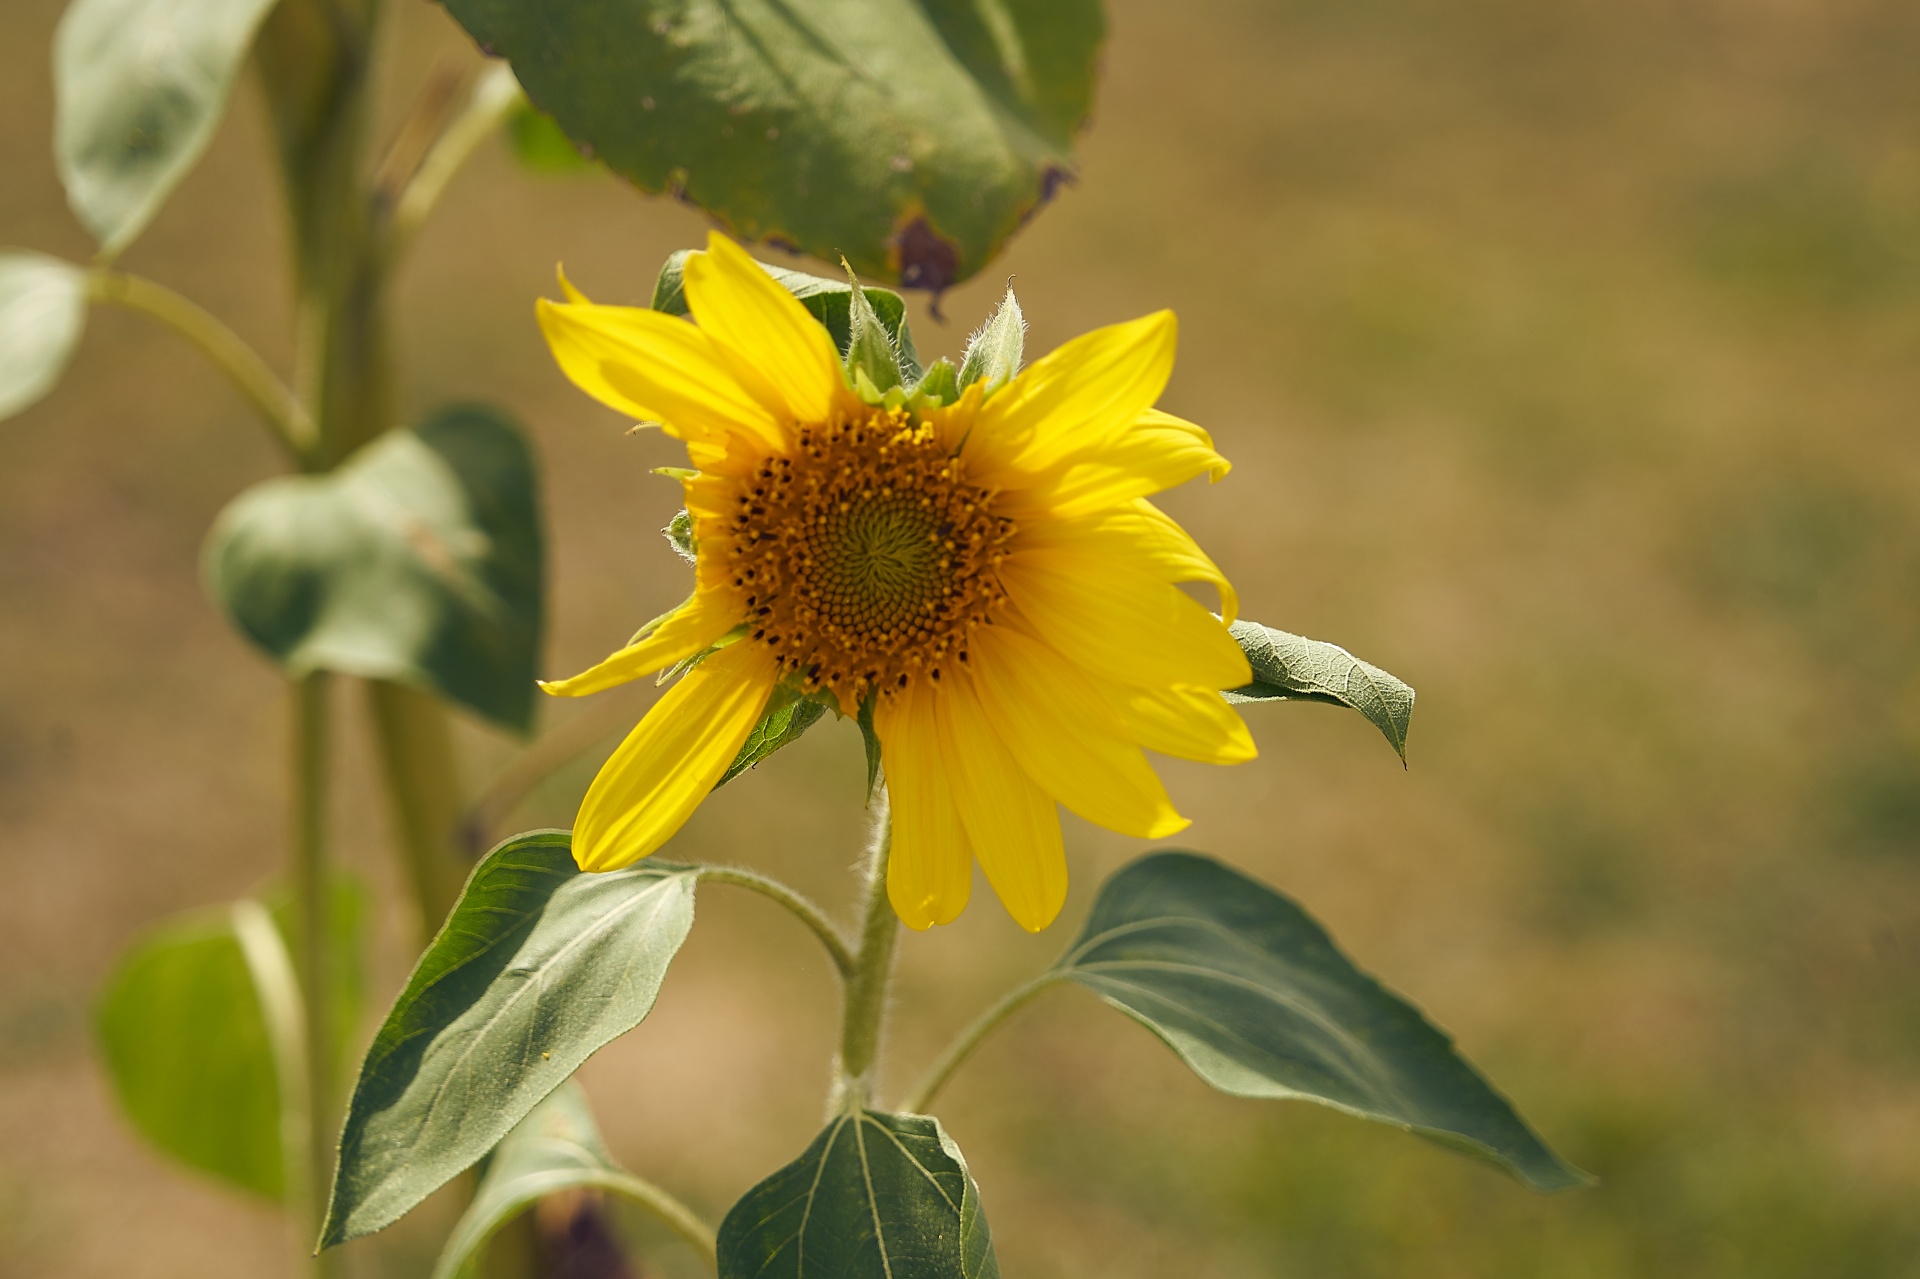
(1570, 356)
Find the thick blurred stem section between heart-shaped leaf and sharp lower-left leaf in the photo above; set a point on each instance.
(423, 798)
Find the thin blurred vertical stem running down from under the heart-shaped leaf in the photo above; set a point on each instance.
(312, 948)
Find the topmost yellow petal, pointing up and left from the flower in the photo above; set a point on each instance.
(773, 345)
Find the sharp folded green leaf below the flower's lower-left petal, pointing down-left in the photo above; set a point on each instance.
(533, 973)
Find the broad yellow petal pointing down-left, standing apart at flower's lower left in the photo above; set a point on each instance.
(663, 771)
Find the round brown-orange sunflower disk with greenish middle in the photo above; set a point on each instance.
(865, 556)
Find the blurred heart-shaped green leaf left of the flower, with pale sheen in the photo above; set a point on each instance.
(416, 562)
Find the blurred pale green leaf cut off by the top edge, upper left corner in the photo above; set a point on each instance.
(139, 89)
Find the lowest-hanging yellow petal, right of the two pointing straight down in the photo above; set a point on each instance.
(1009, 821)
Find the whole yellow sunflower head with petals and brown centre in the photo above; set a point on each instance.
(986, 577)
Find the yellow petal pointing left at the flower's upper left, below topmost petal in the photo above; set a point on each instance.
(656, 368)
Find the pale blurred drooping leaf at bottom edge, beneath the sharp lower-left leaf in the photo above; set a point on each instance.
(556, 1147)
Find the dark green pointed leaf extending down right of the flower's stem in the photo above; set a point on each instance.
(1259, 1001)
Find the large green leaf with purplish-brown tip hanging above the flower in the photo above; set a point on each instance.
(911, 135)
